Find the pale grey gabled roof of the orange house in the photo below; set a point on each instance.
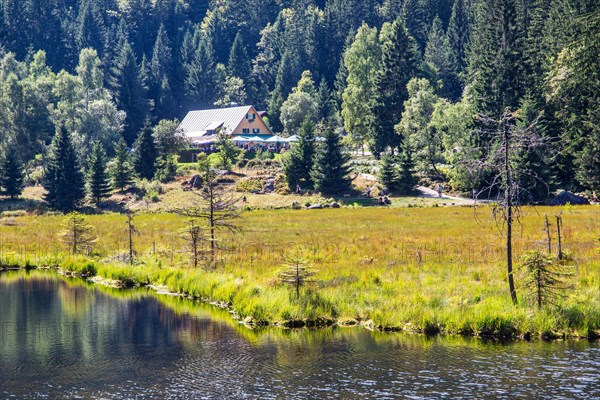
(196, 123)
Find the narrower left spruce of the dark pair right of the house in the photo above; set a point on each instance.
(299, 161)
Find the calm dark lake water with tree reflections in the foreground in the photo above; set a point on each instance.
(67, 339)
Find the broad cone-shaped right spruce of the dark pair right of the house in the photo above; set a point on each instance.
(330, 172)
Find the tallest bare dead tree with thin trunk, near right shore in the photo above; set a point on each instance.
(508, 141)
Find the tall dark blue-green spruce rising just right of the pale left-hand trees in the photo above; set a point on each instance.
(130, 91)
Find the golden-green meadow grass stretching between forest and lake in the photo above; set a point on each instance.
(418, 269)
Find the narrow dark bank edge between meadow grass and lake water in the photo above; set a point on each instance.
(317, 323)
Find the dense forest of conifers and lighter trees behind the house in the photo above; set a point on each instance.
(407, 77)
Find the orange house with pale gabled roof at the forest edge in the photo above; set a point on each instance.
(198, 126)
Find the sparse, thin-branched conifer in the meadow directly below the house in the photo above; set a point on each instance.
(215, 205)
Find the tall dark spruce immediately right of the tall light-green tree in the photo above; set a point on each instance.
(400, 62)
